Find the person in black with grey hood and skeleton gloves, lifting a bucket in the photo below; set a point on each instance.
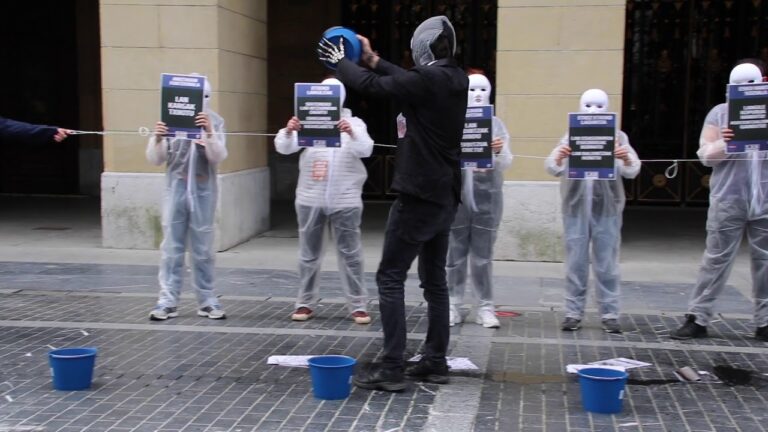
(433, 97)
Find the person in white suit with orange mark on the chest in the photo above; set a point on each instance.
(329, 194)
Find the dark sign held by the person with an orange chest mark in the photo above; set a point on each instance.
(318, 107)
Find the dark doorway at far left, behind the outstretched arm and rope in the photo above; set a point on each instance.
(51, 75)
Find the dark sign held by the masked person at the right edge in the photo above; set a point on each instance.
(747, 117)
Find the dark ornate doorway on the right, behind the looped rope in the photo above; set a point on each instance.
(678, 56)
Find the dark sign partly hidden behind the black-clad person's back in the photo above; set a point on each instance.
(476, 140)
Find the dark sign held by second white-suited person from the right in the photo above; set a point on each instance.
(592, 138)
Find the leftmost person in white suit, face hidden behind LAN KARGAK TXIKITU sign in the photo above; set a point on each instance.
(189, 204)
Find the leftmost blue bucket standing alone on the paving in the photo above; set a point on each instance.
(72, 368)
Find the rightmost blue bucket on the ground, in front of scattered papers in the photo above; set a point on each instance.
(602, 389)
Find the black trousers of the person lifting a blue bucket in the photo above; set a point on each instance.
(415, 228)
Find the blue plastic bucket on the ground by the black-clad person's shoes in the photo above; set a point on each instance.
(331, 376)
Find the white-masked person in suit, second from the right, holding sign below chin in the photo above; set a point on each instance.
(592, 215)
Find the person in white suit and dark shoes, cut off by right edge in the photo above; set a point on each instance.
(738, 202)
